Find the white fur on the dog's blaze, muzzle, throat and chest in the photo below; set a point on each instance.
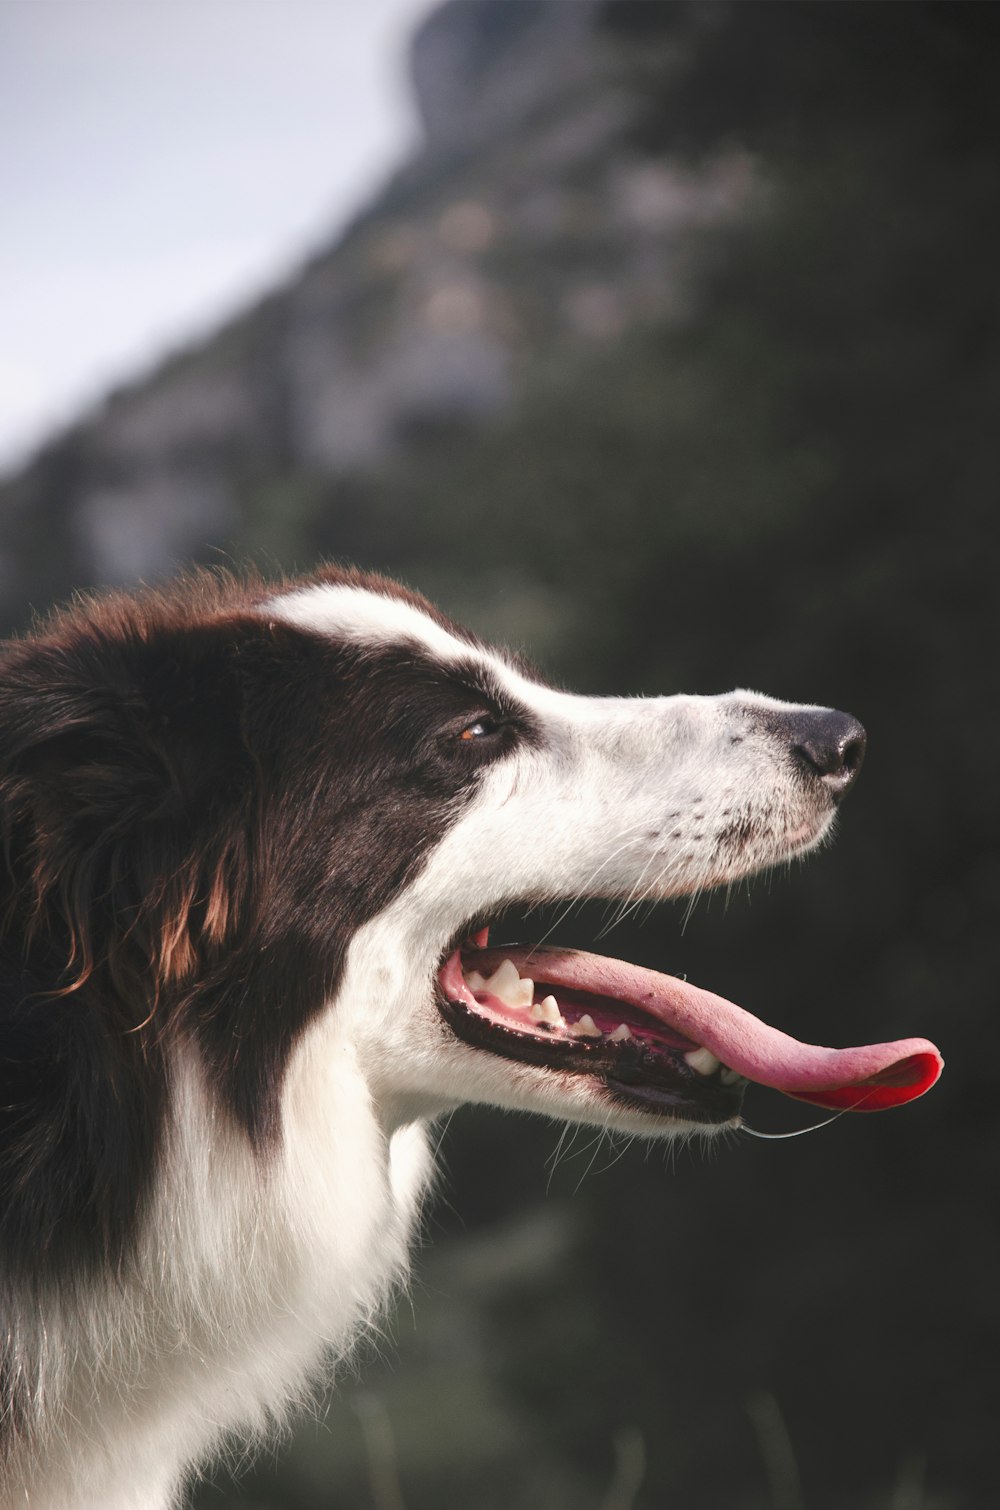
(250, 1277)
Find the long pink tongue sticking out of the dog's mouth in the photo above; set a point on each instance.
(866, 1079)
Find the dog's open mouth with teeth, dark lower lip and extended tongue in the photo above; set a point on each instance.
(659, 1044)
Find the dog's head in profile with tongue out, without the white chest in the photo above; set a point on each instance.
(232, 812)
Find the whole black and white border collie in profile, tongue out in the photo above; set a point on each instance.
(253, 837)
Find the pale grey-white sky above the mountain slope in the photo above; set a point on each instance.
(165, 161)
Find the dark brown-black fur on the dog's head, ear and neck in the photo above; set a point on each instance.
(197, 816)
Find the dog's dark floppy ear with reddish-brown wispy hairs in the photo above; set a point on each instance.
(126, 807)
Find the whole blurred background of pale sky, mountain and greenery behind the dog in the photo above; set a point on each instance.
(658, 341)
